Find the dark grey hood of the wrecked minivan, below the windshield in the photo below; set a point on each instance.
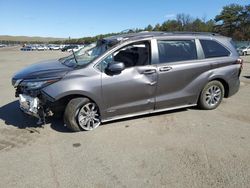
(42, 70)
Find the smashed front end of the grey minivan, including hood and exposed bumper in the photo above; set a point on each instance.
(30, 82)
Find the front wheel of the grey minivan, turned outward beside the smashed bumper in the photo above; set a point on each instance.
(81, 114)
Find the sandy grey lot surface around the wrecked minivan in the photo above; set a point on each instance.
(183, 148)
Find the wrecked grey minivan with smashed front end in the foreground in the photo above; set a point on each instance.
(130, 75)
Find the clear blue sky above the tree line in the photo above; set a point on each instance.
(81, 18)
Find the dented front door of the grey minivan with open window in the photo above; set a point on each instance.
(132, 91)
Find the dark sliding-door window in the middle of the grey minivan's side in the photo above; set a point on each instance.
(176, 50)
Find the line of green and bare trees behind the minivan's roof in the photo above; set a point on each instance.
(233, 21)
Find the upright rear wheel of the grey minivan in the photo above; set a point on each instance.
(211, 95)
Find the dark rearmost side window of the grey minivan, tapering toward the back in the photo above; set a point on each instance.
(213, 49)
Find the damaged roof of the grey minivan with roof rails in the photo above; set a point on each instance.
(145, 34)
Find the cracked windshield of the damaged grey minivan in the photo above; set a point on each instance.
(85, 55)
